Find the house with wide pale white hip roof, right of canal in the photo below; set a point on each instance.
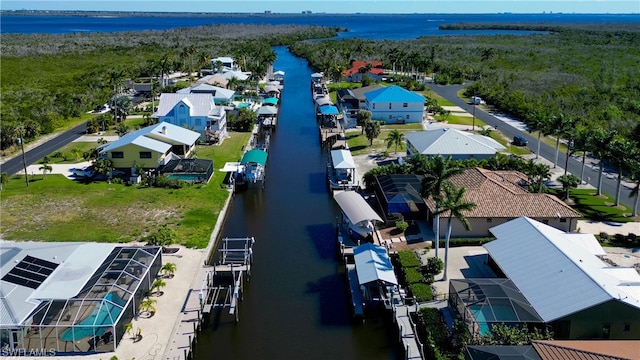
(460, 145)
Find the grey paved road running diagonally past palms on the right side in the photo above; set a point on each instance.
(449, 92)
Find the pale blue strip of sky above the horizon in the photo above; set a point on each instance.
(334, 6)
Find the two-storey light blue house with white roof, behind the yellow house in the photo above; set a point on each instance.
(196, 111)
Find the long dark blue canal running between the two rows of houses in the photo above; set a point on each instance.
(296, 304)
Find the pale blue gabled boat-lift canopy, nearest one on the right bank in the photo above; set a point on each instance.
(373, 265)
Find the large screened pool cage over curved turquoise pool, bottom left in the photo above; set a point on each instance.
(94, 320)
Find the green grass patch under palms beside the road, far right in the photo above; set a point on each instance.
(597, 208)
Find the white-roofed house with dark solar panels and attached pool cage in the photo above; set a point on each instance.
(71, 297)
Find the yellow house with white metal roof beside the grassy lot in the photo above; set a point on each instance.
(150, 147)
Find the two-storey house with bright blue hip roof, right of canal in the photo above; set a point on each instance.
(395, 105)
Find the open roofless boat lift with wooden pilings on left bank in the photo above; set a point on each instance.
(229, 271)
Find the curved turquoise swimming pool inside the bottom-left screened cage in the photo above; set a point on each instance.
(103, 315)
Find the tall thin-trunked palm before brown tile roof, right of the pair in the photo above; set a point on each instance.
(454, 204)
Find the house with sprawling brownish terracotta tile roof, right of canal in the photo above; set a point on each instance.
(500, 197)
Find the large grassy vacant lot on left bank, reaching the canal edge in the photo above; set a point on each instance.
(58, 209)
